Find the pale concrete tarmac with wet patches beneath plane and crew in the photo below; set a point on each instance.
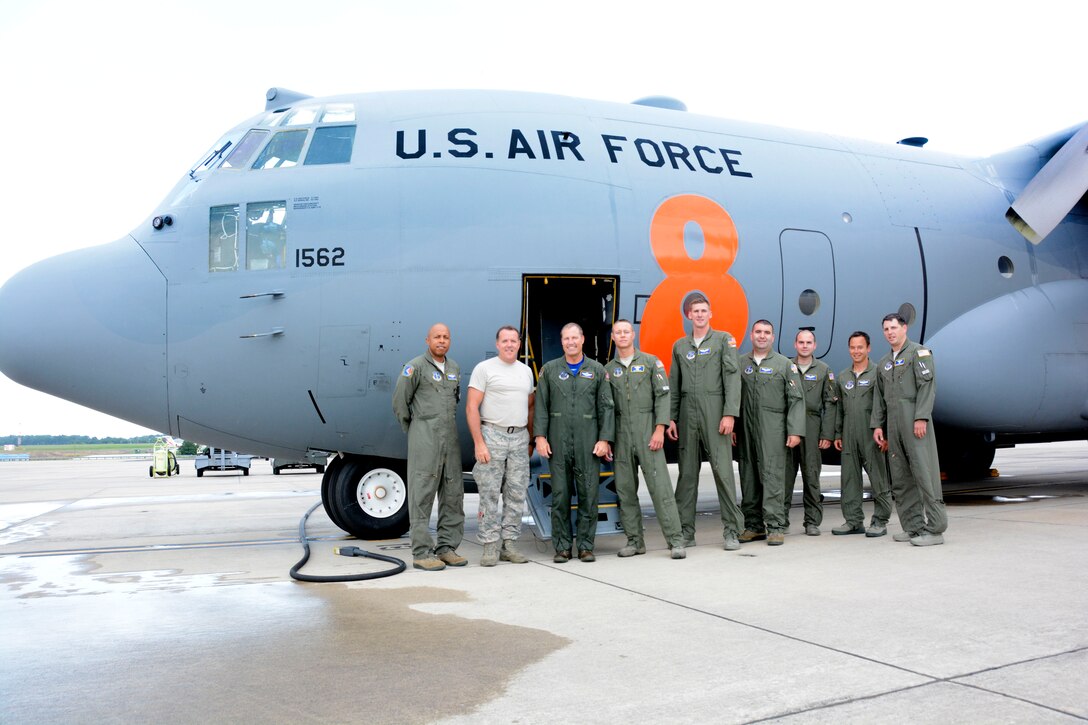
(126, 599)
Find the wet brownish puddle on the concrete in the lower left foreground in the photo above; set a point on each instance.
(156, 646)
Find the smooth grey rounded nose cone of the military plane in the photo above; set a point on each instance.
(91, 327)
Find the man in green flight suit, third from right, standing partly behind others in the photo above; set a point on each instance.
(822, 402)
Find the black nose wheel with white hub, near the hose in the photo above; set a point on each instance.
(370, 498)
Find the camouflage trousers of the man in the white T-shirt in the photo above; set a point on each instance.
(503, 484)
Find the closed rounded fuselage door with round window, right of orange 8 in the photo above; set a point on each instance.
(808, 289)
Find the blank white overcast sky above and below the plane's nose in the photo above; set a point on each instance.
(108, 104)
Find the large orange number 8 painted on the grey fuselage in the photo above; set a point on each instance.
(663, 317)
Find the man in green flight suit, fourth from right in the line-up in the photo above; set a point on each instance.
(773, 422)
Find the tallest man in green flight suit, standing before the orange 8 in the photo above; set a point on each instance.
(707, 397)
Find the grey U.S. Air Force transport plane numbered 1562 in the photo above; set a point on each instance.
(271, 300)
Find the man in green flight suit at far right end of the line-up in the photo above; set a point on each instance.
(902, 416)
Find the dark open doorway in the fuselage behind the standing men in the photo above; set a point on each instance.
(550, 302)
